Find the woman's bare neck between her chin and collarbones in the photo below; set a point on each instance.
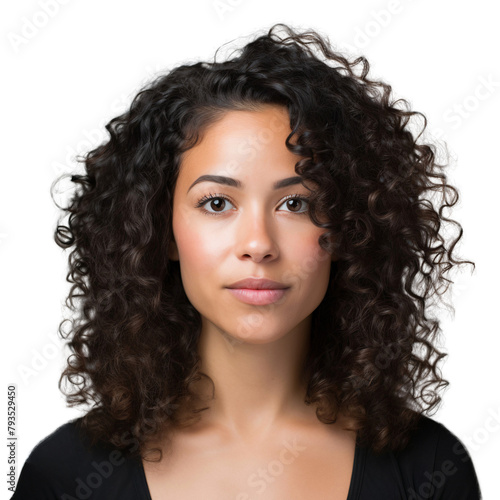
(258, 387)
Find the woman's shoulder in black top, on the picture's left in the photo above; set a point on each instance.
(64, 465)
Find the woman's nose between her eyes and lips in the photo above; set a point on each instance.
(257, 237)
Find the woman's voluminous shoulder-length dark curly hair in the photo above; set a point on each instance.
(373, 352)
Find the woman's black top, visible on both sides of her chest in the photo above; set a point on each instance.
(434, 465)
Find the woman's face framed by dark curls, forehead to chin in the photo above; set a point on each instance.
(248, 229)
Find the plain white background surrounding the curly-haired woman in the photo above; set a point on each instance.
(68, 72)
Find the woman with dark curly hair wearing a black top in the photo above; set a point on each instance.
(256, 249)
